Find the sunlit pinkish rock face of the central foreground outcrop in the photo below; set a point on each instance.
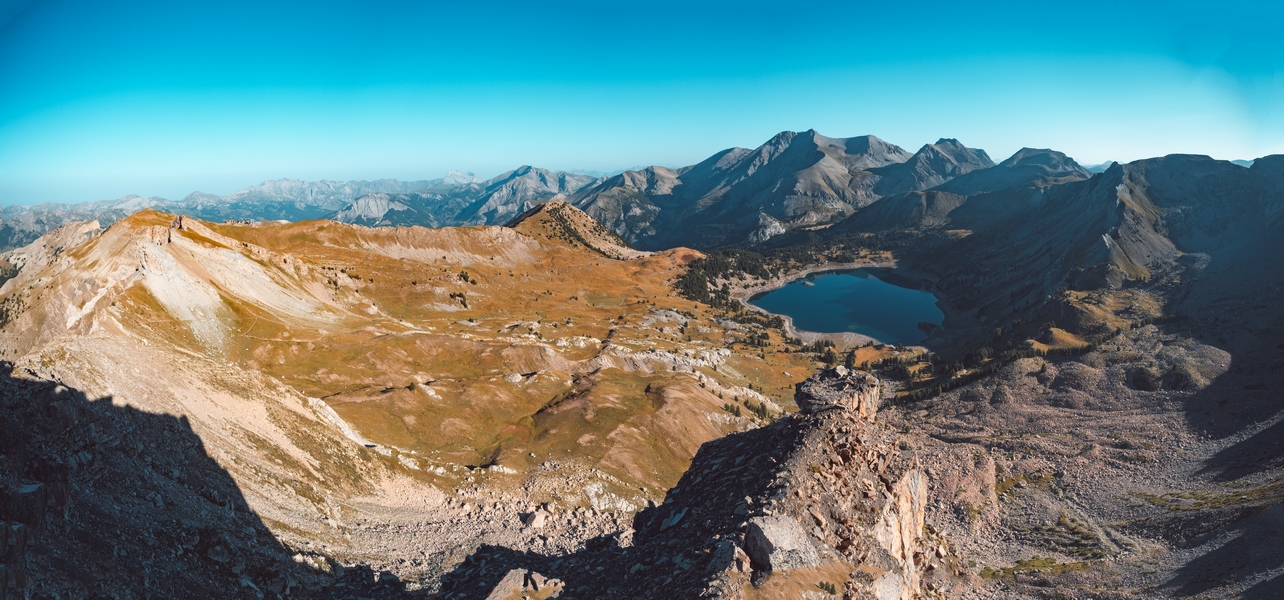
(857, 495)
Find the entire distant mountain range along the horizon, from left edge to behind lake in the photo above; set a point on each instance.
(736, 197)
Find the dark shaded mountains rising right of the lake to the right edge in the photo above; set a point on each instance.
(1048, 225)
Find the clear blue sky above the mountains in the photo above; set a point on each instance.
(101, 100)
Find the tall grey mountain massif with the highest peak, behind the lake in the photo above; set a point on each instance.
(795, 179)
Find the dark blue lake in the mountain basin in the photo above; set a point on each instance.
(855, 301)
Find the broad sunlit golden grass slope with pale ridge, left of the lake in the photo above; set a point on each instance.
(517, 348)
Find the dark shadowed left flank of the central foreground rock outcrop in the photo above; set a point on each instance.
(672, 544)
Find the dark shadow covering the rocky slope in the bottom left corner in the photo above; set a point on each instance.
(120, 503)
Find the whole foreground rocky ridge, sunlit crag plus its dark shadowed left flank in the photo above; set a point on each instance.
(824, 491)
